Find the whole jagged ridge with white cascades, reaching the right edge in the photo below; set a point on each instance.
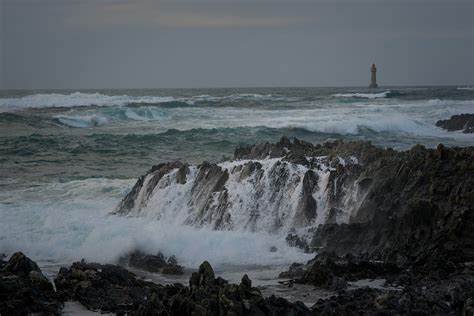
(353, 197)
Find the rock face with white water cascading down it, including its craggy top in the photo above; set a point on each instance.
(267, 187)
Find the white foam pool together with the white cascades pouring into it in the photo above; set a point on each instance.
(73, 222)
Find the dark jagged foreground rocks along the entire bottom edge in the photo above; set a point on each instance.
(108, 288)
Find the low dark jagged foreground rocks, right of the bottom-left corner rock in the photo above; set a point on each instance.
(109, 288)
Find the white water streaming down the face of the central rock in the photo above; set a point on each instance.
(269, 200)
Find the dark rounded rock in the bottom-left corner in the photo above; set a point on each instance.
(25, 290)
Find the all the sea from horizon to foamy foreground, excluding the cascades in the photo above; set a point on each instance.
(67, 158)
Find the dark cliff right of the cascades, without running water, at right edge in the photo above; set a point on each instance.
(417, 207)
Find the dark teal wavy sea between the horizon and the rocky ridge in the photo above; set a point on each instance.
(66, 135)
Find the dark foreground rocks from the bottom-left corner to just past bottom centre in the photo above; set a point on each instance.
(113, 289)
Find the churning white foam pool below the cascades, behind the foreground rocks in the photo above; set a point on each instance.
(73, 223)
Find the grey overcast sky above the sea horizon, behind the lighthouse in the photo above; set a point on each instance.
(156, 44)
